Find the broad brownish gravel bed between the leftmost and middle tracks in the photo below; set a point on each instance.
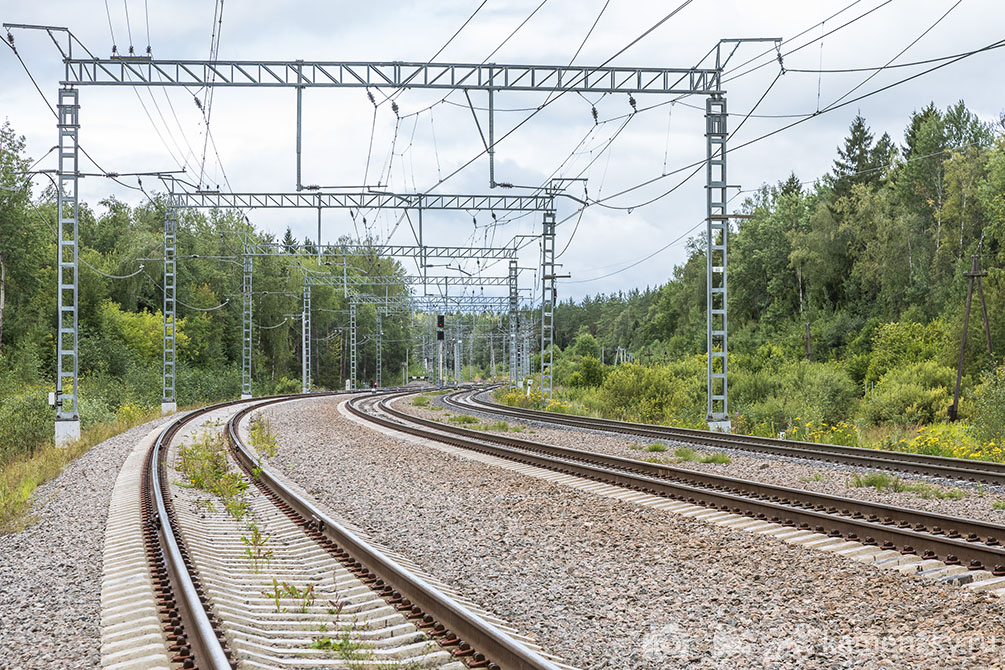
(606, 584)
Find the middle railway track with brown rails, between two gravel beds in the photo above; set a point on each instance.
(959, 550)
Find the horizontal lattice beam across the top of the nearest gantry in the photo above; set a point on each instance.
(302, 75)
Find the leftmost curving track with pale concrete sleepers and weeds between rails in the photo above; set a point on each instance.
(281, 584)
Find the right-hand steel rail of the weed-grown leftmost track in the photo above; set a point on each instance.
(498, 646)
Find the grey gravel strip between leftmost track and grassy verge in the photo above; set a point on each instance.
(51, 573)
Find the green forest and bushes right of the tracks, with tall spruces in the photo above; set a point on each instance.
(873, 257)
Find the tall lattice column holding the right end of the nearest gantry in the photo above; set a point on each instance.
(717, 233)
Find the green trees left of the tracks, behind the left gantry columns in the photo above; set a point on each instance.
(121, 299)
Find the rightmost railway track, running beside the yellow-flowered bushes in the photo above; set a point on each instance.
(986, 473)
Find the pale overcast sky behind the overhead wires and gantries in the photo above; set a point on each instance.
(255, 130)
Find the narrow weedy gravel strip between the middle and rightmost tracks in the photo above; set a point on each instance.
(977, 503)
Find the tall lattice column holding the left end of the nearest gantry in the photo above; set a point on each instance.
(68, 421)
